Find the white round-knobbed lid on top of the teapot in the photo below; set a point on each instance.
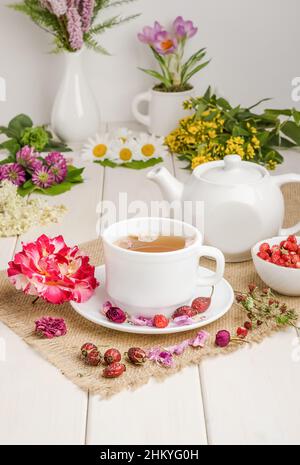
(230, 171)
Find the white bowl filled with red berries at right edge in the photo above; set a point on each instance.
(286, 281)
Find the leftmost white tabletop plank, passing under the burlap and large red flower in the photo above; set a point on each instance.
(38, 404)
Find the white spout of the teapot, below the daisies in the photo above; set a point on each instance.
(170, 187)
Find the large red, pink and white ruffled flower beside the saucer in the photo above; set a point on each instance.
(48, 268)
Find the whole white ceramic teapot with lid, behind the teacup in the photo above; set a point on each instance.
(243, 204)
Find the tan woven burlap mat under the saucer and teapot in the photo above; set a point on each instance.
(18, 313)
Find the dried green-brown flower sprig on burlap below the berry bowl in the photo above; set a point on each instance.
(263, 307)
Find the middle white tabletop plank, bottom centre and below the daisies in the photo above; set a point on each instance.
(158, 413)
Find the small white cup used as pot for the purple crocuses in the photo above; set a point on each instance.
(165, 110)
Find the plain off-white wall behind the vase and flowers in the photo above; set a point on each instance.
(254, 46)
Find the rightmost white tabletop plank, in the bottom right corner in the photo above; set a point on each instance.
(250, 396)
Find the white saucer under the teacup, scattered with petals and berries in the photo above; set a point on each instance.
(222, 300)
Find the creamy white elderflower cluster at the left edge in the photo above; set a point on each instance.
(19, 214)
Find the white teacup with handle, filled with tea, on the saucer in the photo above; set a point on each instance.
(144, 283)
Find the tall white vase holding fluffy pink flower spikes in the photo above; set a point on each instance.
(75, 115)
